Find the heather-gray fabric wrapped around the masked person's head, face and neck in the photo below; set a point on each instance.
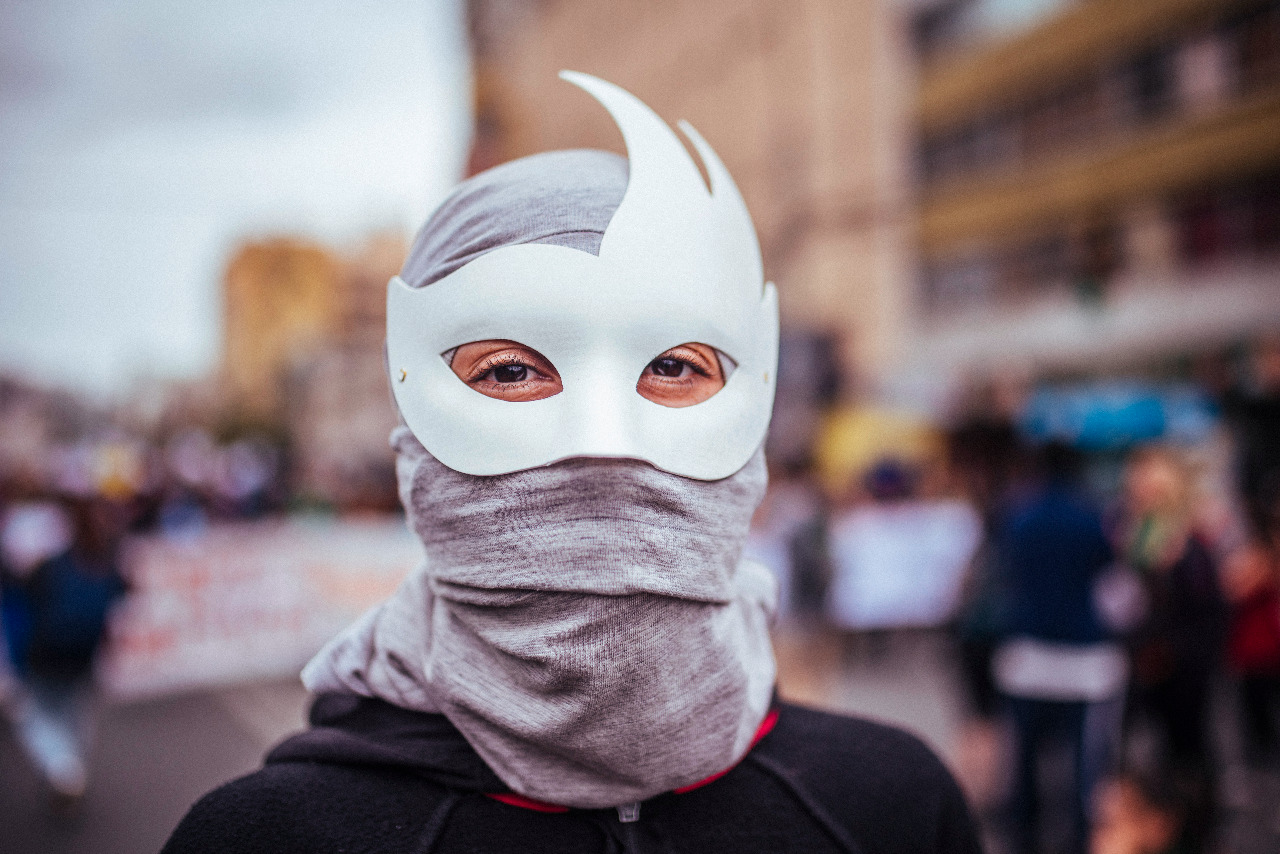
(589, 627)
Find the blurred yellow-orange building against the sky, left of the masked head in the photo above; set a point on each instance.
(304, 358)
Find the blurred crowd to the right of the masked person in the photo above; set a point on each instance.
(1116, 604)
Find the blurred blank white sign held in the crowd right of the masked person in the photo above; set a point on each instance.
(900, 565)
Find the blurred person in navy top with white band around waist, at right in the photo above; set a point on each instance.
(1059, 672)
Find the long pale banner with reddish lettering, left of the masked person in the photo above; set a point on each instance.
(243, 602)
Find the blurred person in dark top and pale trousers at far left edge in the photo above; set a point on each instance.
(62, 578)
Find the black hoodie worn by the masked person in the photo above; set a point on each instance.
(369, 777)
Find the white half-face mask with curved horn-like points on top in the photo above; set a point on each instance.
(678, 266)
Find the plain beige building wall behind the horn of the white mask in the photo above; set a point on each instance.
(806, 102)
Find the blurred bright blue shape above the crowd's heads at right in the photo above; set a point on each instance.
(1113, 415)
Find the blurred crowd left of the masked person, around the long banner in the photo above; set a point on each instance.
(65, 519)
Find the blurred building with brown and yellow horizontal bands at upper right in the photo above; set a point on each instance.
(1100, 191)
